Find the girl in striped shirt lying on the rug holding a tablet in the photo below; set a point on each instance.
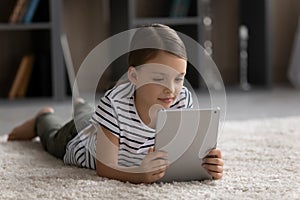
(118, 139)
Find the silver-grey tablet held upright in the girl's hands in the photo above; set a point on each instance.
(187, 135)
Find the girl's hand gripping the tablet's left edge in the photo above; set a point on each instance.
(154, 166)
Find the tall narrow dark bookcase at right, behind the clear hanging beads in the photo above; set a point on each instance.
(260, 47)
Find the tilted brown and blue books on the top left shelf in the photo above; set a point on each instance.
(23, 11)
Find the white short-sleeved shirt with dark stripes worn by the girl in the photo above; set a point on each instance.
(117, 113)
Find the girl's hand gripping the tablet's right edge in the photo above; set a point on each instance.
(213, 163)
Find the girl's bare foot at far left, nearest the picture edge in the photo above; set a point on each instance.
(26, 130)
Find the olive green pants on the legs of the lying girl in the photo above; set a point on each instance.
(55, 135)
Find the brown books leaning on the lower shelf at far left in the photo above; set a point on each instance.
(21, 80)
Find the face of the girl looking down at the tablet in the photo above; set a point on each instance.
(158, 82)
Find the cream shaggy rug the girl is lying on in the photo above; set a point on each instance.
(262, 161)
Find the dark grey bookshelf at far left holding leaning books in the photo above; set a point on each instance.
(40, 37)
